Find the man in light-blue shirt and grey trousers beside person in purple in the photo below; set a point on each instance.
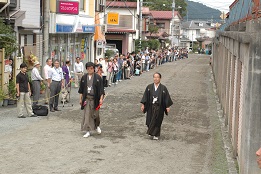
(55, 82)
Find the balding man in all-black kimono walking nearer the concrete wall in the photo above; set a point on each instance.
(156, 100)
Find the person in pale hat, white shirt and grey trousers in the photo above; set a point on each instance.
(36, 81)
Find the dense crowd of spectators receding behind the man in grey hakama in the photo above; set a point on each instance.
(123, 67)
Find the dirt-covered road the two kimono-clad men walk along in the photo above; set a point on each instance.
(191, 140)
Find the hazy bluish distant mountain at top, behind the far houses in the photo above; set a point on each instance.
(198, 11)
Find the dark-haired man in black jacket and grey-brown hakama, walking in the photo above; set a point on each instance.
(91, 97)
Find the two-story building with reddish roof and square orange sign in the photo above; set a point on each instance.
(122, 33)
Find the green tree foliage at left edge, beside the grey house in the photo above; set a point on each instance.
(7, 39)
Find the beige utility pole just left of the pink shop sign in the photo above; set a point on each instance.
(46, 31)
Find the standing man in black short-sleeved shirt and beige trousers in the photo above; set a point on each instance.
(23, 92)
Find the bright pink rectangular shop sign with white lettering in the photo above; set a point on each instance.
(68, 7)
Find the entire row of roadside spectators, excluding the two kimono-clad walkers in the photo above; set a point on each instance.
(111, 70)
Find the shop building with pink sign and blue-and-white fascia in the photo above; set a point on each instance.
(71, 28)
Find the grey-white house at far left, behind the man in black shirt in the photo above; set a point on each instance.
(24, 16)
